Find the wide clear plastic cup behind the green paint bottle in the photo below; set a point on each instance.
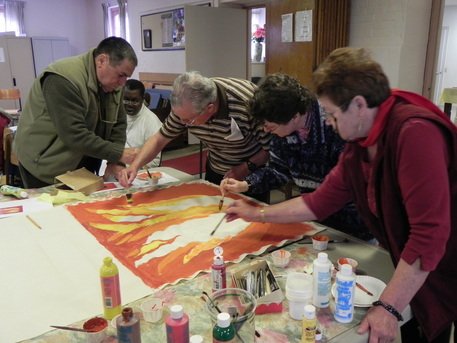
(241, 305)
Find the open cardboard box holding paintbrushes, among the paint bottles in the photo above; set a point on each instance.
(258, 279)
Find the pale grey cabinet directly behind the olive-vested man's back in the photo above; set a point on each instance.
(47, 50)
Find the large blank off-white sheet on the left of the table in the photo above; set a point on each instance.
(56, 269)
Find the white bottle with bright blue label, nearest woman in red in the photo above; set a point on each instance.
(344, 297)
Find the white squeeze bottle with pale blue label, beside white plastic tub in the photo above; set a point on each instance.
(321, 280)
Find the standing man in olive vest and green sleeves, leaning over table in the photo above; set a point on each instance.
(74, 116)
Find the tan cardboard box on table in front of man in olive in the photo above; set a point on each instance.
(81, 180)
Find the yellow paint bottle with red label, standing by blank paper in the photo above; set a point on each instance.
(111, 292)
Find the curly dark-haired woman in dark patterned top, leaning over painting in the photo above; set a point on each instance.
(303, 149)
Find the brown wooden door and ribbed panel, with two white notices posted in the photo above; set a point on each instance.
(299, 59)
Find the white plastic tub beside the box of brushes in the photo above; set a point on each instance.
(299, 292)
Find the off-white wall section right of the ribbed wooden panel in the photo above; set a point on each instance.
(396, 32)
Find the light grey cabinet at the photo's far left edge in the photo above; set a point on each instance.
(16, 66)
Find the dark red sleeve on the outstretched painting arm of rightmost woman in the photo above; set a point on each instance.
(331, 196)
